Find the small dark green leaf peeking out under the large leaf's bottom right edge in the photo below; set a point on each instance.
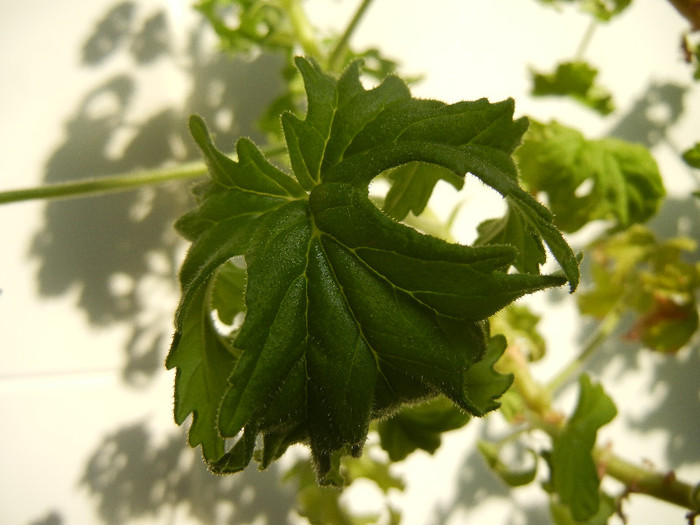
(419, 427)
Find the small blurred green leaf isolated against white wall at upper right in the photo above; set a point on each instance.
(576, 80)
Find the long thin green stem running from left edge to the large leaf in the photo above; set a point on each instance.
(121, 182)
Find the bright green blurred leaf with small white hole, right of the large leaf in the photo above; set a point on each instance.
(588, 180)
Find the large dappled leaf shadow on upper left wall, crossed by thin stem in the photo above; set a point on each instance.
(106, 248)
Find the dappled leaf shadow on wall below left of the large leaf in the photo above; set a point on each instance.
(132, 478)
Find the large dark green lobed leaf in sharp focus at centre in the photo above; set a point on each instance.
(349, 315)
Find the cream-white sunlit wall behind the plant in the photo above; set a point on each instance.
(89, 285)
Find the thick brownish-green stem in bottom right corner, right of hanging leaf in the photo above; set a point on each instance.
(640, 480)
